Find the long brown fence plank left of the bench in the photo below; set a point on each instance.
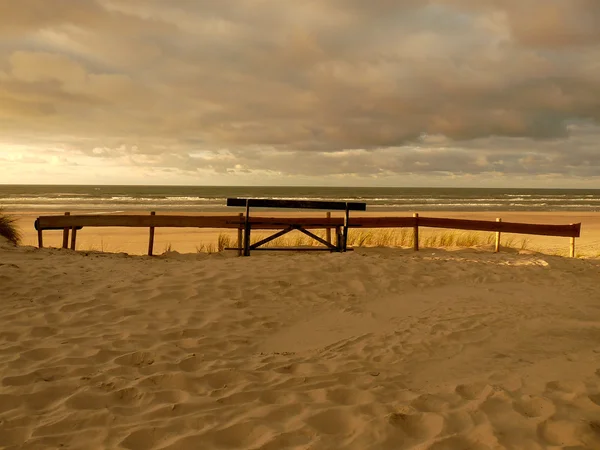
(134, 220)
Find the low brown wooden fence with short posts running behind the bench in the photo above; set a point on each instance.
(73, 223)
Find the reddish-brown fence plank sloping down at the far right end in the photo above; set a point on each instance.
(572, 230)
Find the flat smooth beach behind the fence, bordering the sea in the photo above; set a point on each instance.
(187, 240)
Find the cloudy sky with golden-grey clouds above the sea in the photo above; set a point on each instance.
(276, 92)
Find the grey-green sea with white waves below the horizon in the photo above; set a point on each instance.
(98, 199)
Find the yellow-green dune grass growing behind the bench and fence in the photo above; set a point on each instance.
(392, 238)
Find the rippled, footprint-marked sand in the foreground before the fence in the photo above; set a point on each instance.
(372, 349)
